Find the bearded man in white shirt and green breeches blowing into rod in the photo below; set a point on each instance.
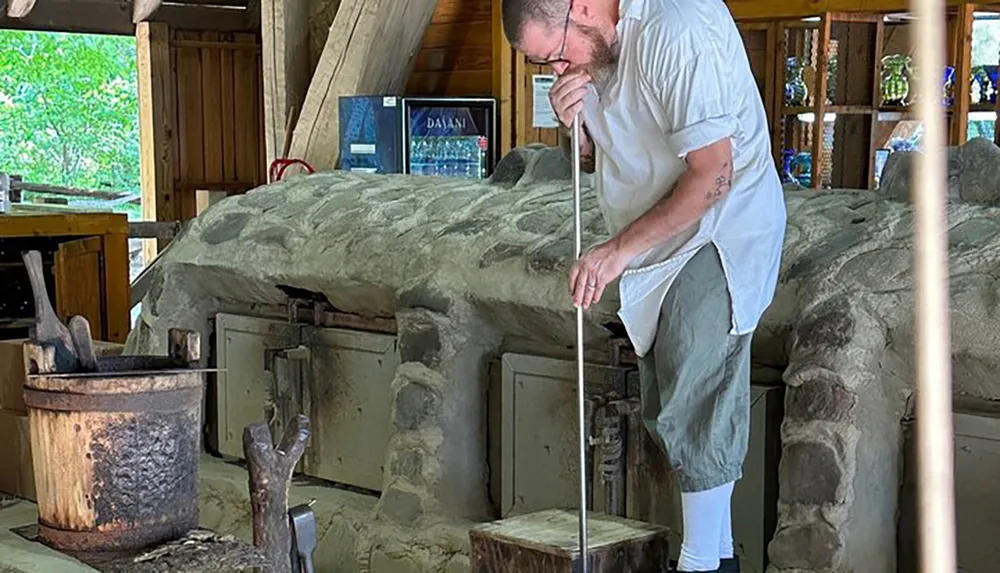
(676, 131)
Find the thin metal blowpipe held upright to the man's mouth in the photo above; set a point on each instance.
(580, 397)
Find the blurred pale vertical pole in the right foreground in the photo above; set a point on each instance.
(935, 433)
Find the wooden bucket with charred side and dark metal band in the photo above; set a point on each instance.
(116, 452)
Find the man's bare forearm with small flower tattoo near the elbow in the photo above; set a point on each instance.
(694, 194)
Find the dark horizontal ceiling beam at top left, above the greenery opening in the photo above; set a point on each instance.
(115, 17)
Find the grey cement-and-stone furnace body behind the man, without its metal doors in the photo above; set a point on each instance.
(476, 263)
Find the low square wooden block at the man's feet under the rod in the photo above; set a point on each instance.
(548, 542)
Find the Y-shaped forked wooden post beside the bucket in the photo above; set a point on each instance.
(270, 476)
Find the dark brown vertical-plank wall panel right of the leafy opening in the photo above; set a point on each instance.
(219, 115)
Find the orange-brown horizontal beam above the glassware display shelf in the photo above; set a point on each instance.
(771, 9)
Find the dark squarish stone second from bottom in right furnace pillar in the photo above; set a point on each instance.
(810, 473)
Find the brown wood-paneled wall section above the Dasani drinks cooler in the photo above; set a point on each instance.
(456, 58)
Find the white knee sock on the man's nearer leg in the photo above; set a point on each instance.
(703, 511)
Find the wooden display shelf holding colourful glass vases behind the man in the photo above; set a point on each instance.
(855, 73)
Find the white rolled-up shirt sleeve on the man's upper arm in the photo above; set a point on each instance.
(687, 81)
